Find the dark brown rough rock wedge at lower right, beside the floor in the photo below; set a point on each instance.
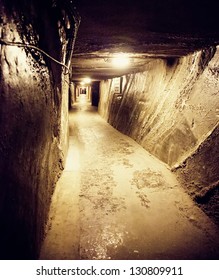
(199, 175)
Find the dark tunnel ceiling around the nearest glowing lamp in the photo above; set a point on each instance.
(142, 28)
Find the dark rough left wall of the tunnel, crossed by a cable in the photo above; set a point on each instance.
(33, 124)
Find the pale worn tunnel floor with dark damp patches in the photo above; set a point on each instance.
(116, 201)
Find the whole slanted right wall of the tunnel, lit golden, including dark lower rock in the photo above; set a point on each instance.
(171, 108)
